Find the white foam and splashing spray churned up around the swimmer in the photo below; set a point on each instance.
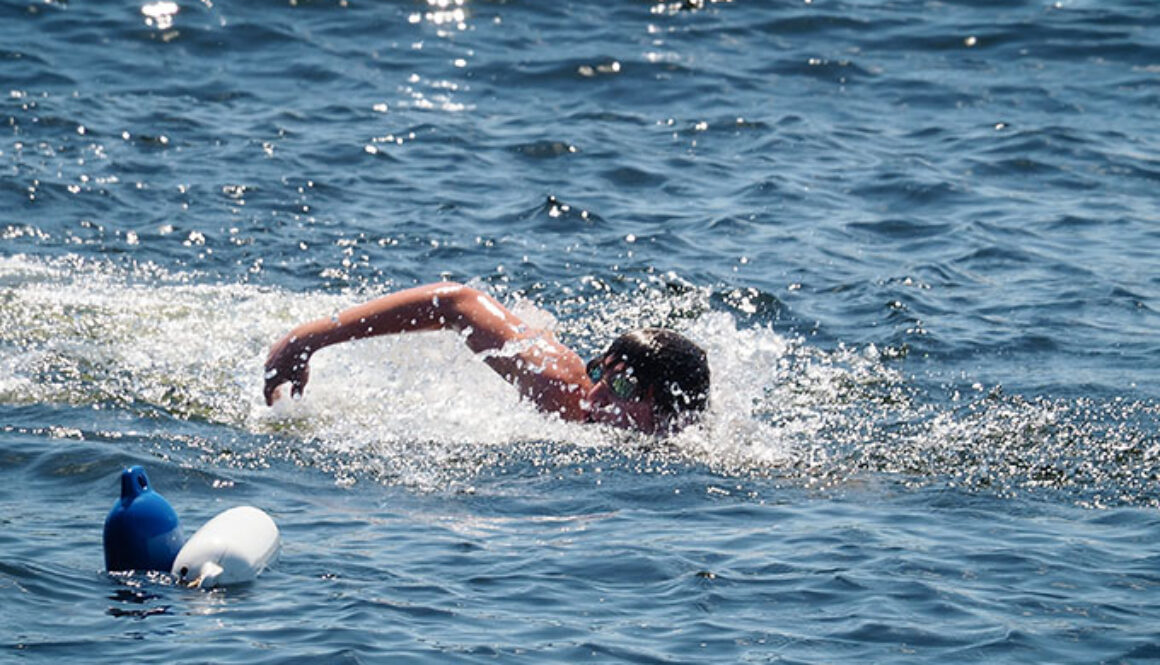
(422, 411)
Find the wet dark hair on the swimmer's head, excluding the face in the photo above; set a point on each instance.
(671, 368)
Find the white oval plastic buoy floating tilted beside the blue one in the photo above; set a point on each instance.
(233, 548)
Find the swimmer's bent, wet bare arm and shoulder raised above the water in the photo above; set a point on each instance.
(545, 371)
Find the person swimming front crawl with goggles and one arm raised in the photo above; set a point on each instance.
(651, 380)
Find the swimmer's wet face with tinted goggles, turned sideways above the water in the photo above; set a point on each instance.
(617, 399)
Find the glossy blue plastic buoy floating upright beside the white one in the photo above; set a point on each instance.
(142, 532)
